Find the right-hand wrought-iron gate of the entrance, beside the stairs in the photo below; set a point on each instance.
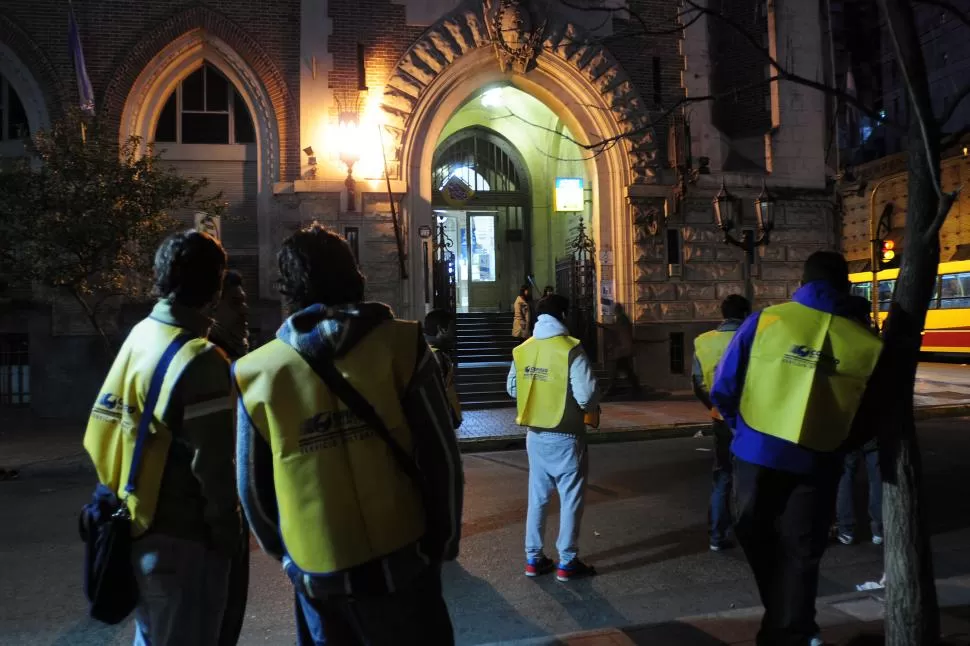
(576, 279)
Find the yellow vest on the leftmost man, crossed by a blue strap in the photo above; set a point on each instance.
(113, 424)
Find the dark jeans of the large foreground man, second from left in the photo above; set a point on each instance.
(411, 616)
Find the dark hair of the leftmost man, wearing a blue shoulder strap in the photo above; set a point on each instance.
(188, 268)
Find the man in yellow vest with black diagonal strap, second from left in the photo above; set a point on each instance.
(349, 470)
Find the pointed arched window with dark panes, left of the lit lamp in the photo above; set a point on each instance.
(205, 108)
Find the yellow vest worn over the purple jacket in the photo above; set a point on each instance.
(806, 375)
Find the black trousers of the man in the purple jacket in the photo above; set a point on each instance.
(782, 522)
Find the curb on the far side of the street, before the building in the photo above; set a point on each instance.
(667, 431)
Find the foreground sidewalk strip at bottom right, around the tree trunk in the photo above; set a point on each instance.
(840, 617)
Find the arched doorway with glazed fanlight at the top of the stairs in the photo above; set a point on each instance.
(489, 231)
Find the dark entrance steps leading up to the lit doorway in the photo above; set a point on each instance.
(484, 355)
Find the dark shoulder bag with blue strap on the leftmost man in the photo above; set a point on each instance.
(105, 522)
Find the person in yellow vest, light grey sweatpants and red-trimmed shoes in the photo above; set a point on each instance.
(552, 382)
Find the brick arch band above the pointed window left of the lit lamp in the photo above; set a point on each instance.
(205, 23)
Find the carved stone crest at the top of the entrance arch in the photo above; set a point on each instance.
(515, 33)
